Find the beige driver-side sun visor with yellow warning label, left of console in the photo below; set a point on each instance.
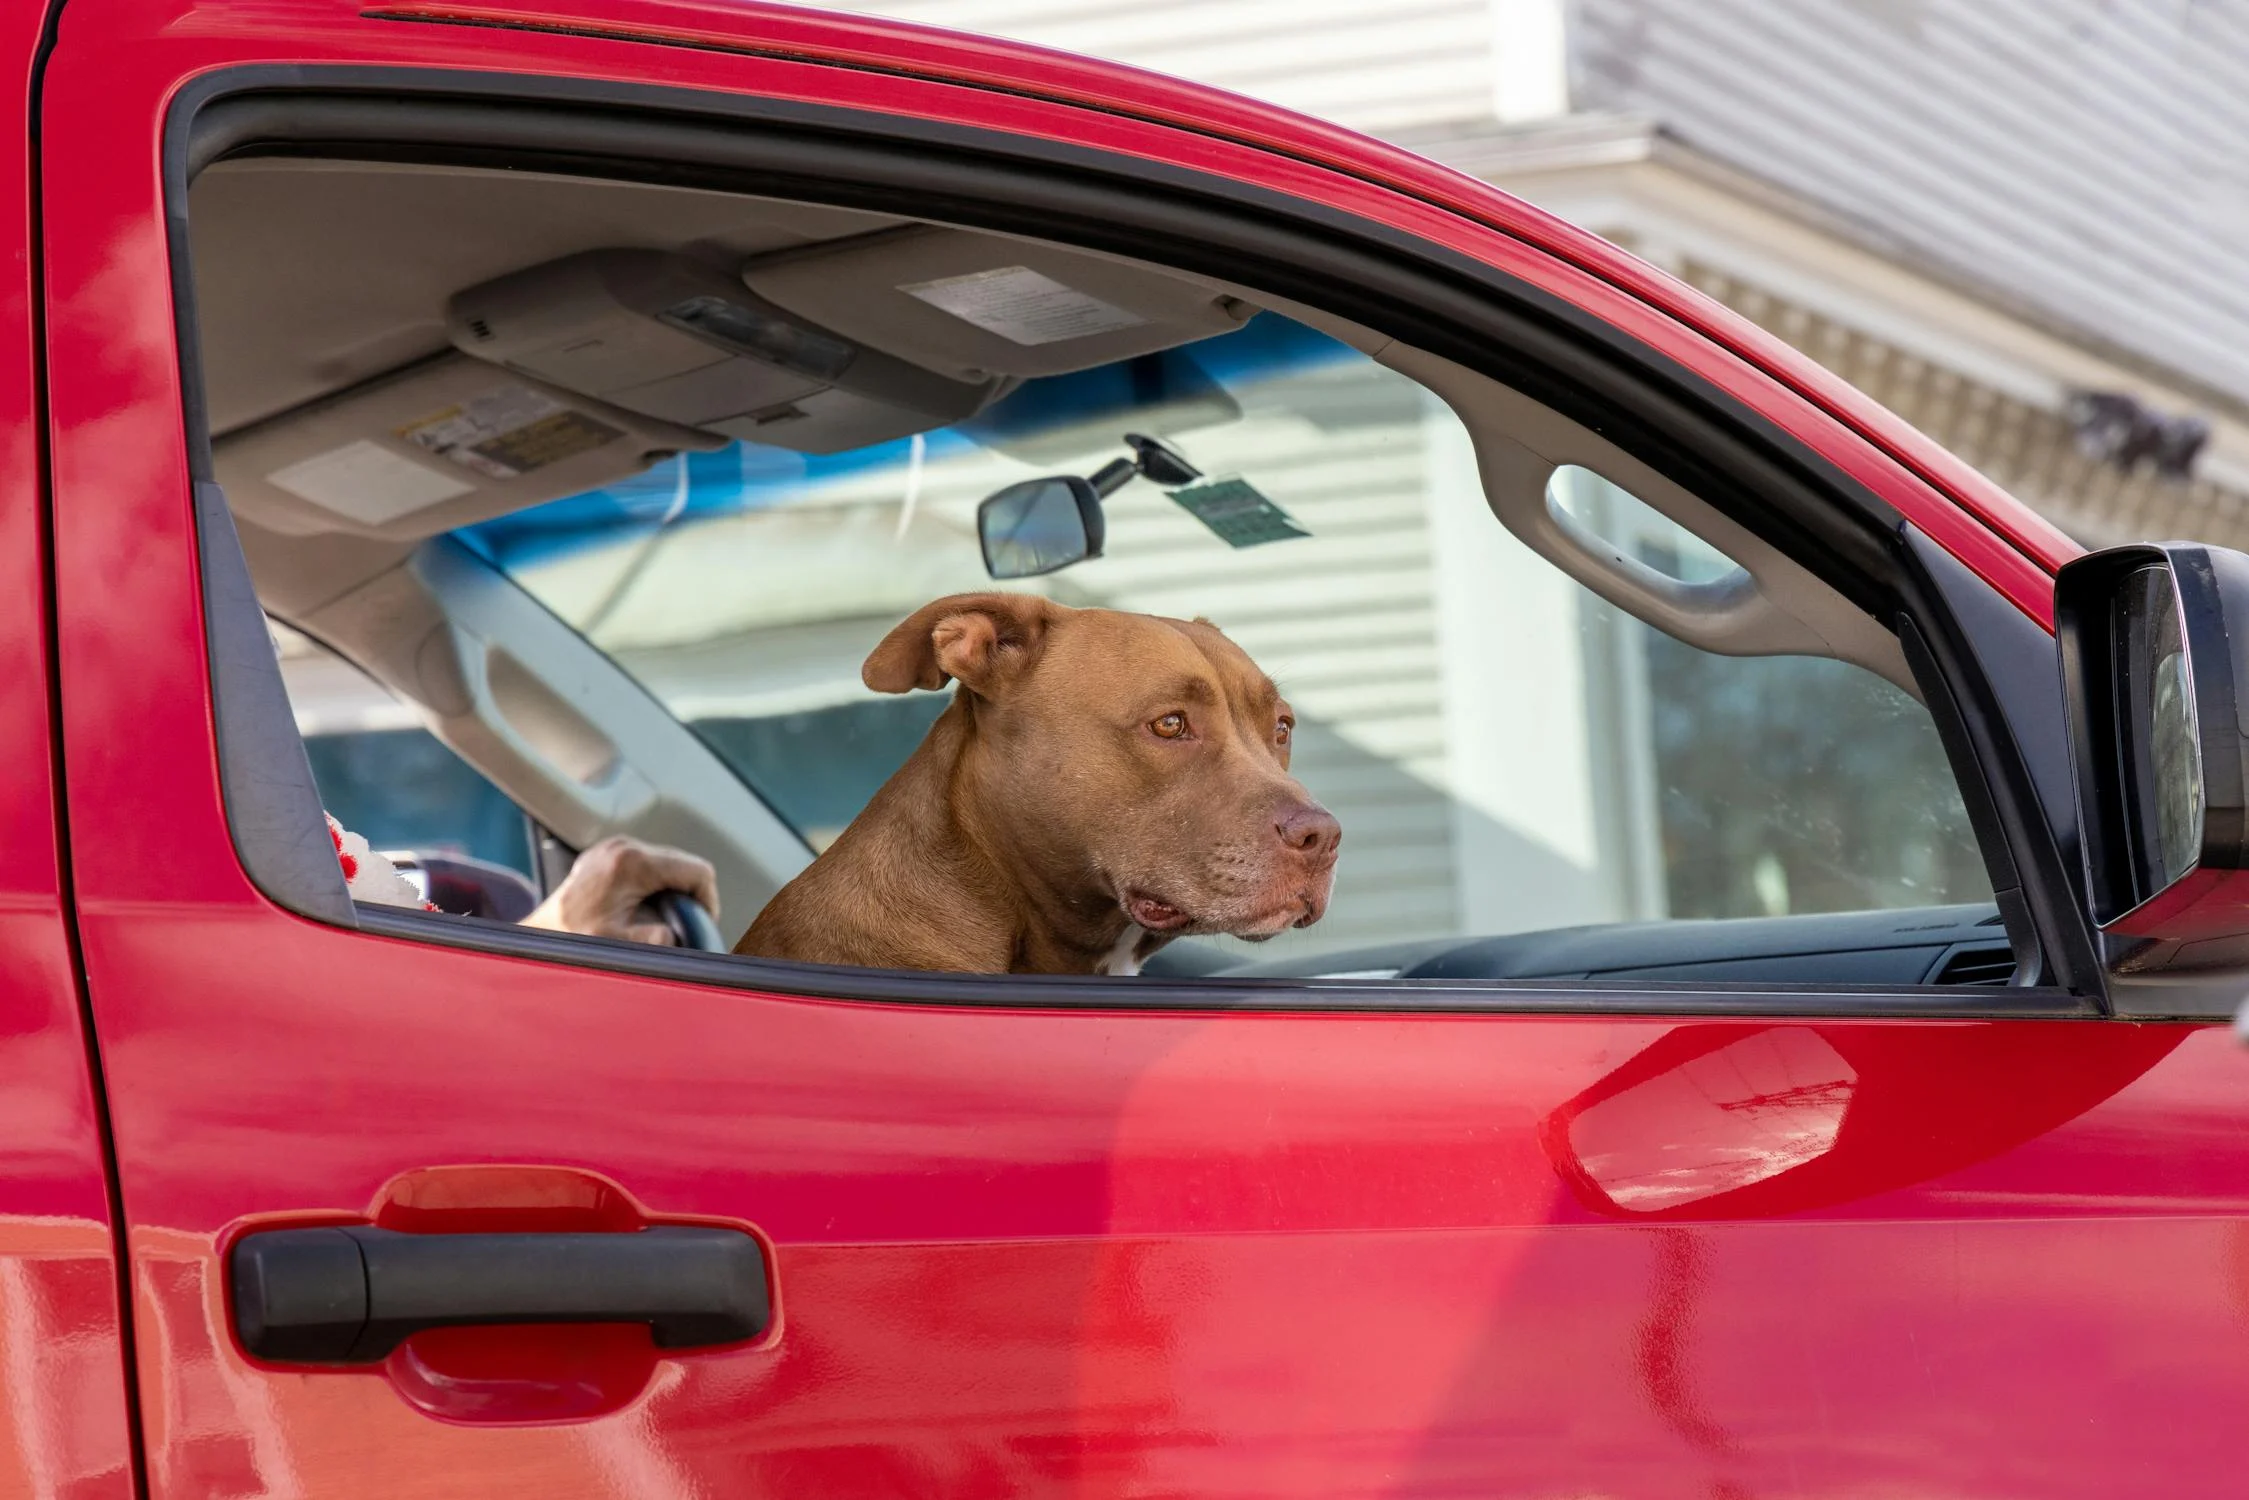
(431, 449)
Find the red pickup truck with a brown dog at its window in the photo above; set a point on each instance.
(1767, 1040)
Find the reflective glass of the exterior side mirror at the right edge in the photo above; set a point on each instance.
(2165, 759)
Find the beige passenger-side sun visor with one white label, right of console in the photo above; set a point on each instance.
(977, 305)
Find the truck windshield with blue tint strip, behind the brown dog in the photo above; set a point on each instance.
(1503, 750)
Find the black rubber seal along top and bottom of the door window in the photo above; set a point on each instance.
(1391, 282)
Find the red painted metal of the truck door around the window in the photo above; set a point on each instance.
(1087, 1254)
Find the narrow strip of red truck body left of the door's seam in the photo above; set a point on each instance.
(62, 1353)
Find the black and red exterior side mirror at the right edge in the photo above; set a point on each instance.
(2156, 674)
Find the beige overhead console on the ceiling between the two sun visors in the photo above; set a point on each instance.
(678, 341)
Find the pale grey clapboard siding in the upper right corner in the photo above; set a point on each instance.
(2072, 159)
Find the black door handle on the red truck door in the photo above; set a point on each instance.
(350, 1294)
